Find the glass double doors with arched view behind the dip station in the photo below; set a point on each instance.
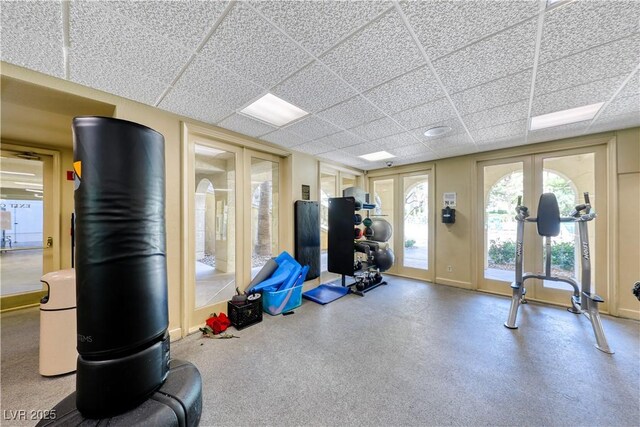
(568, 174)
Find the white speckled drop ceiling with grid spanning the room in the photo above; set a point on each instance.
(373, 75)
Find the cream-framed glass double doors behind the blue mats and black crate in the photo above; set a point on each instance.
(233, 207)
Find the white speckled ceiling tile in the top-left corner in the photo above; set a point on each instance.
(31, 34)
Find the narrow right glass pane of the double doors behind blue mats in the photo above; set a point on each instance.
(265, 182)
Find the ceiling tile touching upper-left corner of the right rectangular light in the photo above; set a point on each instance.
(498, 92)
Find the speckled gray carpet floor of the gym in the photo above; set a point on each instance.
(408, 353)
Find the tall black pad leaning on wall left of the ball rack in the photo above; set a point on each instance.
(307, 236)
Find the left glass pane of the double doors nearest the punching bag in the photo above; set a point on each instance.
(214, 222)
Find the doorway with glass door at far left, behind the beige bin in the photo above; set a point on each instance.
(27, 223)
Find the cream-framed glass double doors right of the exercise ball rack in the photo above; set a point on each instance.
(406, 202)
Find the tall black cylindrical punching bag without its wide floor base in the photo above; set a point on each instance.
(121, 272)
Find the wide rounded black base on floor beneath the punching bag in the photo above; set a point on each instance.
(177, 403)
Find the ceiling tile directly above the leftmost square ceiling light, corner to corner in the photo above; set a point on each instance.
(251, 47)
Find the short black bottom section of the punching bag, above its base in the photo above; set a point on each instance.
(113, 386)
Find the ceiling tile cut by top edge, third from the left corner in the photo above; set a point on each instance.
(184, 22)
